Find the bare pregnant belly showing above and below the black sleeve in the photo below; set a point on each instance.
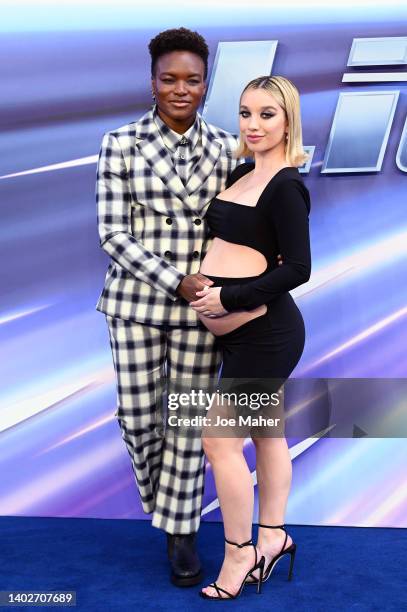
(233, 261)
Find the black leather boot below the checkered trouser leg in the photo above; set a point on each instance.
(184, 561)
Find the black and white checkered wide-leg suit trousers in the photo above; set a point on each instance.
(169, 470)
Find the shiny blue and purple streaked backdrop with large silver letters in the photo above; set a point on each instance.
(74, 70)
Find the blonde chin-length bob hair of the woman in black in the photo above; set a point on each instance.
(287, 96)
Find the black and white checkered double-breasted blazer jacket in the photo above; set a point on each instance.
(150, 224)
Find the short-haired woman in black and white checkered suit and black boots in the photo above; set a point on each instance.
(156, 177)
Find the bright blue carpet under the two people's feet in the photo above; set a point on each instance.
(120, 565)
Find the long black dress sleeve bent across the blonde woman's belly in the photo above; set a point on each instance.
(287, 210)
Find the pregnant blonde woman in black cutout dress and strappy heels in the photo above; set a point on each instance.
(262, 212)
